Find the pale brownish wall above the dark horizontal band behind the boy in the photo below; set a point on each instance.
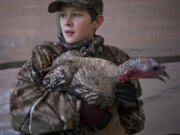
(140, 27)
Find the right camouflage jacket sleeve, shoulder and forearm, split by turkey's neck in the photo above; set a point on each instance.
(133, 118)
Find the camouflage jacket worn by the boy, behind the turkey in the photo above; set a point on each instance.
(35, 110)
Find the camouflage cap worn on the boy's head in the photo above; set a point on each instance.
(96, 5)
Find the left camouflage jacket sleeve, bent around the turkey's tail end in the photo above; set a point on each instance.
(33, 109)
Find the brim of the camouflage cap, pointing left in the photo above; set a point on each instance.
(54, 6)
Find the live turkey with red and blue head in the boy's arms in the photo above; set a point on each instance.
(93, 79)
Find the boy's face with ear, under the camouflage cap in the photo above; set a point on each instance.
(76, 24)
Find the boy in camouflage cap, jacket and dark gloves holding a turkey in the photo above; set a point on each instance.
(34, 110)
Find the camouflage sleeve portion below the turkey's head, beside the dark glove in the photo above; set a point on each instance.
(133, 118)
